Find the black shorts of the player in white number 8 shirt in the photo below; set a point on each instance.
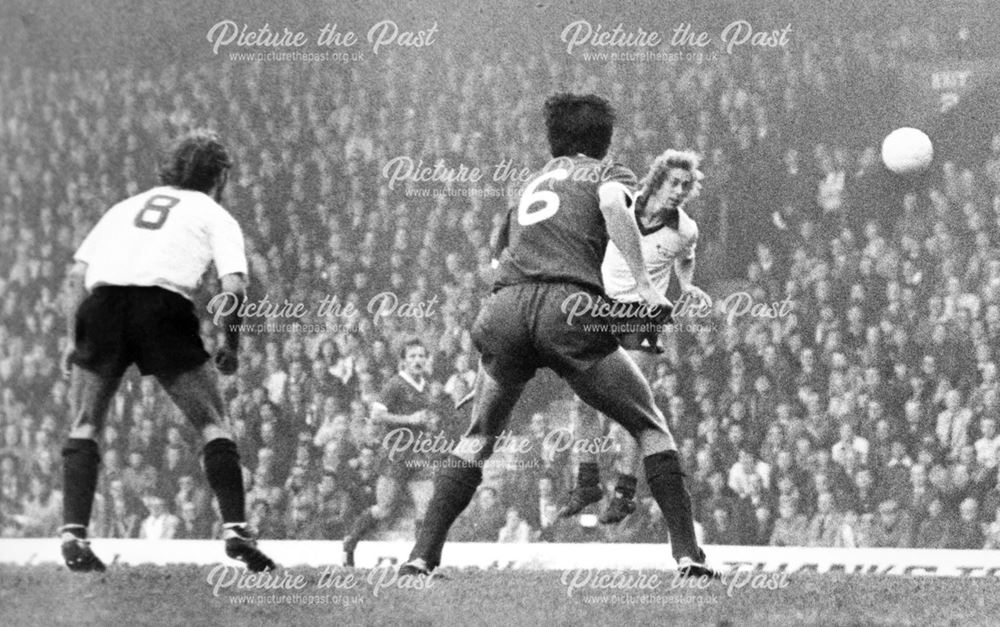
(152, 327)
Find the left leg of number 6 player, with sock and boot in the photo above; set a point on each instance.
(459, 477)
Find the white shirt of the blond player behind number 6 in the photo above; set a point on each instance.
(660, 248)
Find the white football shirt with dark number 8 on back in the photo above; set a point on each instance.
(164, 237)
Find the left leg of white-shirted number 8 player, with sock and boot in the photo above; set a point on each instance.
(90, 398)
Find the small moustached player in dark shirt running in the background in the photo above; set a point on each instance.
(405, 403)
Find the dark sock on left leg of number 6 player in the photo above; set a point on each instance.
(454, 486)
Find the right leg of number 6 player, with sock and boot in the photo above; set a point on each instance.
(615, 386)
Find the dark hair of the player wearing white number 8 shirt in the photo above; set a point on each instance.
(196, 161)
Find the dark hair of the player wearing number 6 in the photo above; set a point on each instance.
(579, 124)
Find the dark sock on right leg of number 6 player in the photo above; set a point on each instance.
(666, 482)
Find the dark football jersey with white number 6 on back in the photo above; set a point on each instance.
(556, 231)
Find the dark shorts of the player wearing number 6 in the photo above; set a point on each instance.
(526, 327)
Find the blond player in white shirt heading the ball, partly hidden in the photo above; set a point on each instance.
(669, 239)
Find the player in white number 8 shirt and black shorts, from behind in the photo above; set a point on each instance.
(129, 302)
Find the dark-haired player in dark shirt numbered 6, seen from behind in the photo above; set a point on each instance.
(552, 264)
